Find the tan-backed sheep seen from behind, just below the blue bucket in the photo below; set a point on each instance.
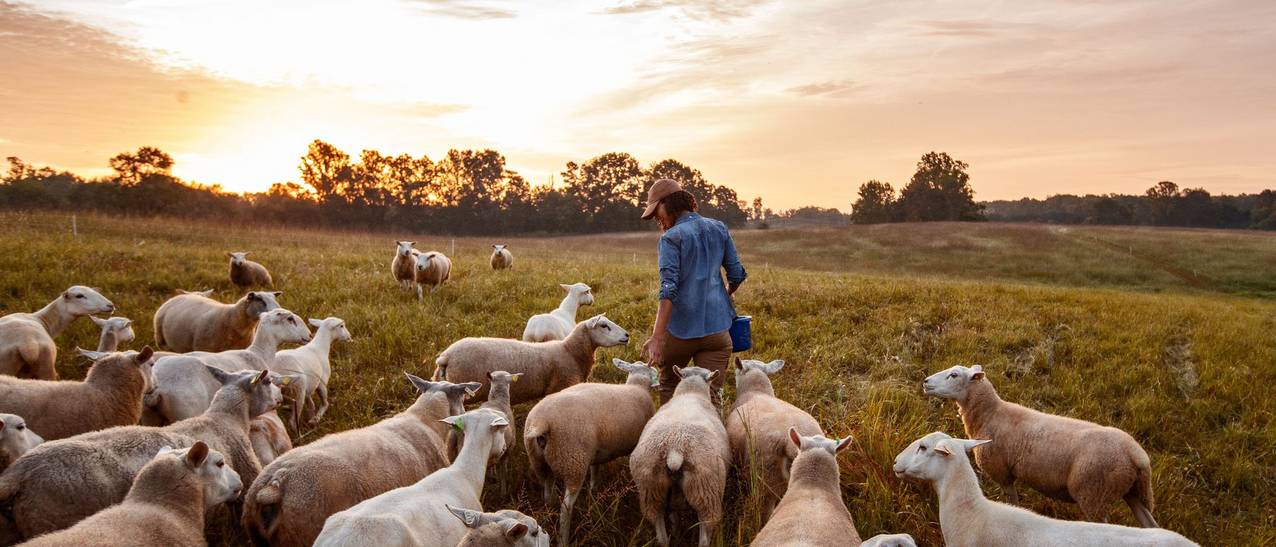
(759, 428)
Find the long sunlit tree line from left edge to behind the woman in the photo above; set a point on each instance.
(464, 193)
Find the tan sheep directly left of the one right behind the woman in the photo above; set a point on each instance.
(568, 439)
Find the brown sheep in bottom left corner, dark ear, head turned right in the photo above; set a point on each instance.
(165, 506)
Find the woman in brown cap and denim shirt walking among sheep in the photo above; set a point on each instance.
(696, 309)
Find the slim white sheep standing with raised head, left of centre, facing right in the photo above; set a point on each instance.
(311, 367)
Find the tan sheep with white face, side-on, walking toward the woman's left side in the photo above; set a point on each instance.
(547, 367)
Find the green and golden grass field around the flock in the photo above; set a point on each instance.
(1163, 333)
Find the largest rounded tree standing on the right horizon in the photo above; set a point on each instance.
(940, 192)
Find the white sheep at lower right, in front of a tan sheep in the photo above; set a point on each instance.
(967, 518)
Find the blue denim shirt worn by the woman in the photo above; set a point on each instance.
(692, 256)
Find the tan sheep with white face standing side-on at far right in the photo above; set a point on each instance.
(1065, 458)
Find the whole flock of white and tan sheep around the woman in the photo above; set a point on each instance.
(152, 441)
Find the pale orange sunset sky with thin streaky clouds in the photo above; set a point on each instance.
(798, 103)
